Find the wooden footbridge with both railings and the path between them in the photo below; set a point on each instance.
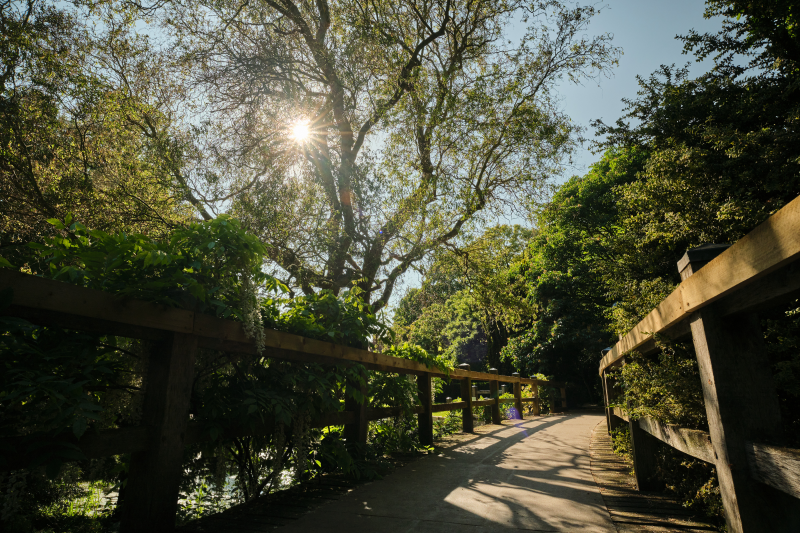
(527, 475)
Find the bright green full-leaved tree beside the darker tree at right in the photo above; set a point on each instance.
(572, 271)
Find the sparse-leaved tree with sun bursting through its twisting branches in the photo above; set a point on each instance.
(357, 137)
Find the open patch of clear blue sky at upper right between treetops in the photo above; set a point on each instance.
(645, 30)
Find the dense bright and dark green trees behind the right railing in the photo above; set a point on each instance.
(693, 161)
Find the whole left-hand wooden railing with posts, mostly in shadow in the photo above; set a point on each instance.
(156, 447)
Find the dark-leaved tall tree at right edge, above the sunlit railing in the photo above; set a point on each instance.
(724, 148)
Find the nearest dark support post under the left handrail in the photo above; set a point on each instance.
(151, 494)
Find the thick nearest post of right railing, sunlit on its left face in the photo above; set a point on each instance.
(741, 405)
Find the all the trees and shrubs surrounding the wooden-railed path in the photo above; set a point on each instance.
(419, 134)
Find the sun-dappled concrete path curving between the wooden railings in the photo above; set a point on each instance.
(532, 475)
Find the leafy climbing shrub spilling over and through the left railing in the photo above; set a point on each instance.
(56, 381)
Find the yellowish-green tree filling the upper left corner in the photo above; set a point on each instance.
(84, 124)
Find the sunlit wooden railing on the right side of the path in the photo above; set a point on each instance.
(716, 305)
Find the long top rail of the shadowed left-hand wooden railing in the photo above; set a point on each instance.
(47, 301)
